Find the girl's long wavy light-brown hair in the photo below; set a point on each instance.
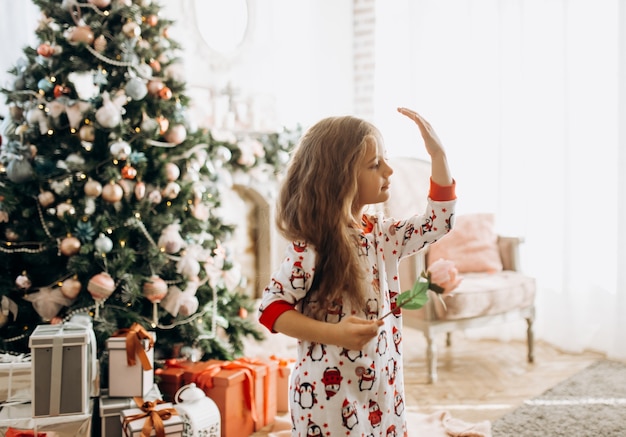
(316, 204)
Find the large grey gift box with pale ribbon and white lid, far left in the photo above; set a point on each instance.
(64, 369)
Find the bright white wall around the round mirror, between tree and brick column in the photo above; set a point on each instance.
(296, 63)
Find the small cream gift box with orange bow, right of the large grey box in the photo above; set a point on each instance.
(131, 379)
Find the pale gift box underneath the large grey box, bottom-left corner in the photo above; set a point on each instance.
(18, 418)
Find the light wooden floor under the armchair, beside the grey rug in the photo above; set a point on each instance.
(482, 379)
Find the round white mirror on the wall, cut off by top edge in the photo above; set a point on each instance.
(222, 24)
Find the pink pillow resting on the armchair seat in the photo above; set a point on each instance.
(471, 244)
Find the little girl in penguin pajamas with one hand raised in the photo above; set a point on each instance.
(340, 275)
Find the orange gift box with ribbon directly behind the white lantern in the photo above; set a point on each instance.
(229, 388)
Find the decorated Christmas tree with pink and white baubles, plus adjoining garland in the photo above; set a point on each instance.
(109, 198)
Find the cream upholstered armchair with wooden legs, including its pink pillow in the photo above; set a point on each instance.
(493, 289)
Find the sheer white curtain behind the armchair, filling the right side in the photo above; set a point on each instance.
(529, 98)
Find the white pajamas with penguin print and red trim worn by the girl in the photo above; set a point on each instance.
(339, 392)
